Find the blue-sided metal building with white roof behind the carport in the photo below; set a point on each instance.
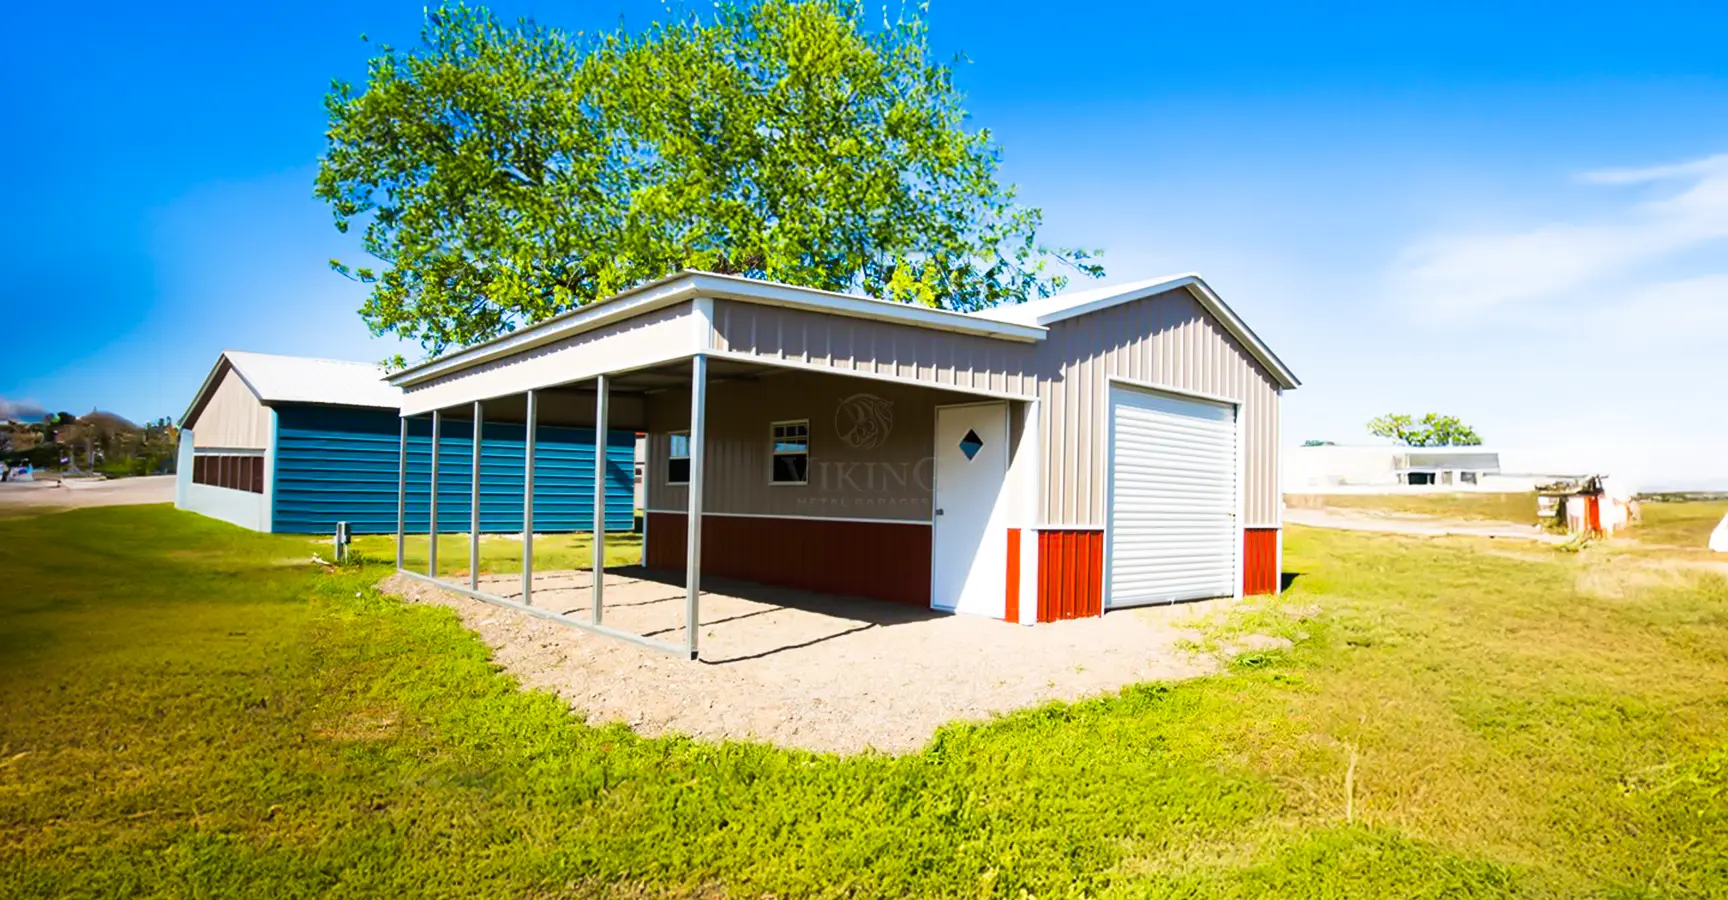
(293, 445)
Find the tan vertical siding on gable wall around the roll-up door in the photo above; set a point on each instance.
(1166, 341)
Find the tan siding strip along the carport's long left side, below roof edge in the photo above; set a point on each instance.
(652, 338)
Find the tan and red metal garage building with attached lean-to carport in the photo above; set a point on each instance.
(1051, 460)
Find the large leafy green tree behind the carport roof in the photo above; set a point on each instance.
(507, 172)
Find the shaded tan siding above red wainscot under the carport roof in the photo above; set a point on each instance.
(887, 481)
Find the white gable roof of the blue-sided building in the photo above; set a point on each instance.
(300, 379)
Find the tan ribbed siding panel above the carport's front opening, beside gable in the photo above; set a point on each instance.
(874, 348)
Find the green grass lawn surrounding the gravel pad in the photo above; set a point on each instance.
(191, 711)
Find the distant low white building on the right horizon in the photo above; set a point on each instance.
(1371, 469)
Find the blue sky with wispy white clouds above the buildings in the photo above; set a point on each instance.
(1518, 217)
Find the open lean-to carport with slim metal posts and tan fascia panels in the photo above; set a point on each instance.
(666, 338)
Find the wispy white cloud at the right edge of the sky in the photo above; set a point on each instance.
(1471, 276)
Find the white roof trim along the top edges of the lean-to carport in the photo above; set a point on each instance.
(689, 286)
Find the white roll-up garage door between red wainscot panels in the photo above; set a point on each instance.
(1172, 498)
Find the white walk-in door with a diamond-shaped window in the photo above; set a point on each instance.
(970, 545)
